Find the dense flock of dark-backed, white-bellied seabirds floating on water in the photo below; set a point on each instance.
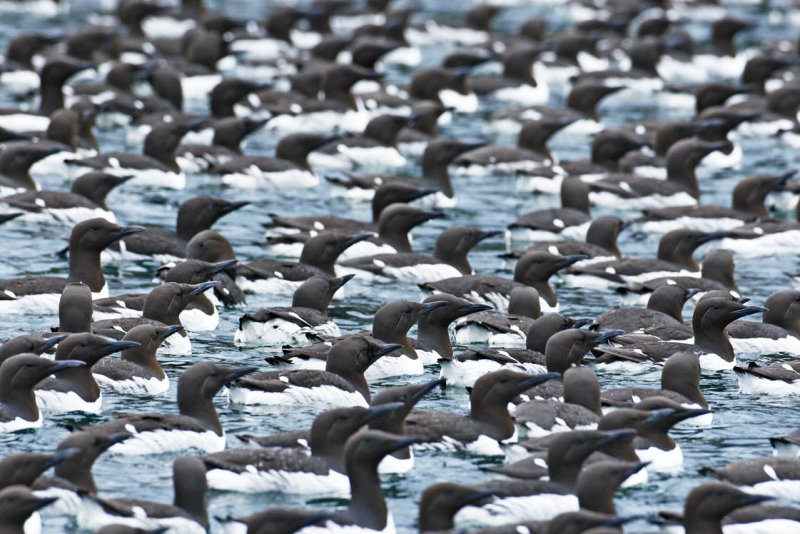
(339, 87)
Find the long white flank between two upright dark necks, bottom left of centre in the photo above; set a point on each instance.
(298, 482)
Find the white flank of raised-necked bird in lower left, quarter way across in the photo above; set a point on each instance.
(158, 441)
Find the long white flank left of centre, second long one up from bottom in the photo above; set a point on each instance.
(299, 396)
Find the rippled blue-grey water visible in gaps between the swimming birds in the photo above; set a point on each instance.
(742, 423)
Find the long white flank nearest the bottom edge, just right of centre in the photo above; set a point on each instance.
(541, 507)
